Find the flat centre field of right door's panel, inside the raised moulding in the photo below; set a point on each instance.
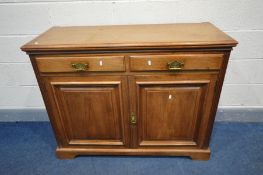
(169, 108)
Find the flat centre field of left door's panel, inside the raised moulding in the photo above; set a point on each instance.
(94, 108)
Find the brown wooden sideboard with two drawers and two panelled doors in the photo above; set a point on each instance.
(131, 89)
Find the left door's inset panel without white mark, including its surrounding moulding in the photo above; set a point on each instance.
(91, 114)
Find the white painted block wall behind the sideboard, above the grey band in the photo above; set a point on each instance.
(22, 20)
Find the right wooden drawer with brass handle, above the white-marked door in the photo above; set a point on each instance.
(176, 62)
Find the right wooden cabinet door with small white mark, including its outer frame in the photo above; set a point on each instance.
(172, 110)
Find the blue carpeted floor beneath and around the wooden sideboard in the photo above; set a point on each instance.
(28, 148)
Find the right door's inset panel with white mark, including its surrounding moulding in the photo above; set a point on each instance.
(170, 113)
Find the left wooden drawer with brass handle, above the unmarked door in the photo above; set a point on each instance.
(79, 64)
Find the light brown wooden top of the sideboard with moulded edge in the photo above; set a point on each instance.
(183, 35)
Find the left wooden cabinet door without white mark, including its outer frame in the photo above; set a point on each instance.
(90, 110)
